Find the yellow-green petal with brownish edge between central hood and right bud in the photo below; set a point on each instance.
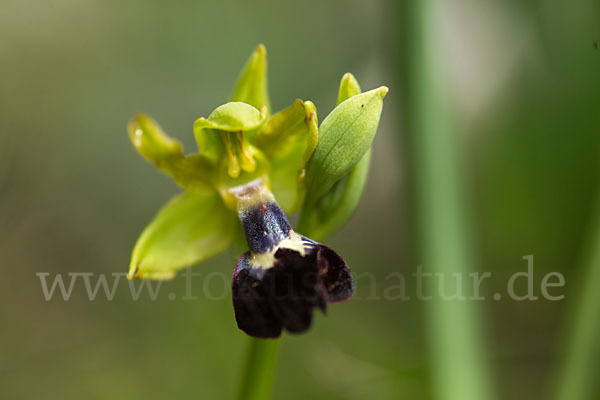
(288, 140)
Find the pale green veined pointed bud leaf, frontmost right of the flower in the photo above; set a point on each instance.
(345, 136)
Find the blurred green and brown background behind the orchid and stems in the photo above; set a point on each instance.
(524, 80)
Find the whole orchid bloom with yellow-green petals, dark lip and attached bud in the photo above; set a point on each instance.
(252, 168)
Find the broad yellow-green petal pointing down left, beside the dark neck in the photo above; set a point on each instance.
(190, 228)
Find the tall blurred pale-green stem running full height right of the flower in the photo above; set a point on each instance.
(455, 336)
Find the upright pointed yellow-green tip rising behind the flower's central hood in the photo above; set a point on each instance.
(252, 85)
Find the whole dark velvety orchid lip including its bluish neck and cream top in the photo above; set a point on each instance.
(284, 276)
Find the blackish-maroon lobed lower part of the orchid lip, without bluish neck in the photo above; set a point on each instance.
(283, 296)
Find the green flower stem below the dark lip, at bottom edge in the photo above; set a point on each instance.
(259, 369)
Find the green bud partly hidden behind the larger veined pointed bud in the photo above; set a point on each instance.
(335, 207)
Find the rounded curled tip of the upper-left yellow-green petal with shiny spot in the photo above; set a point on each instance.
(150, 141)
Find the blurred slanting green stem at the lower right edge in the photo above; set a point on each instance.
(580, 367)
